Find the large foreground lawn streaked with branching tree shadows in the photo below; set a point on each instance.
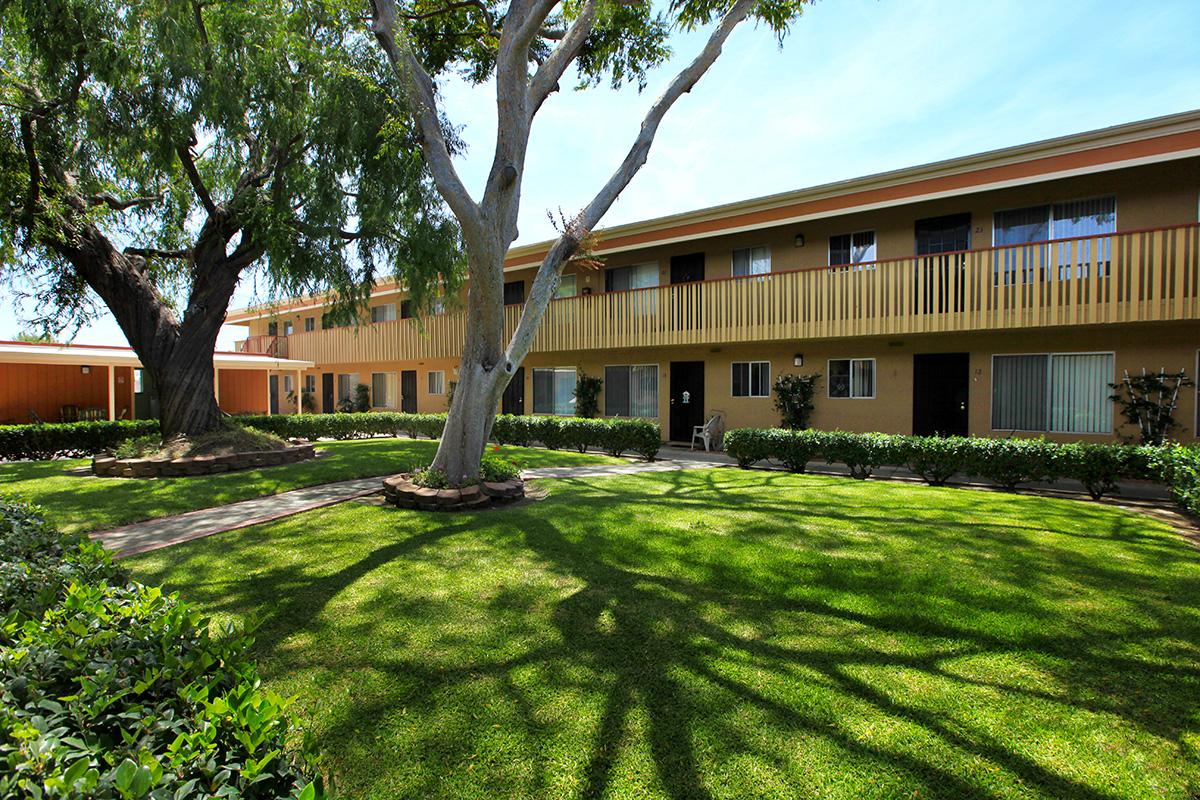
(721, 634)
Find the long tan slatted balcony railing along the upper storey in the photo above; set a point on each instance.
(1137, 276)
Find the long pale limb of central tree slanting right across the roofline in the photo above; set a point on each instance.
(547, 281)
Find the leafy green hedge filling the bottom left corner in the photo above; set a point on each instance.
(111, 689)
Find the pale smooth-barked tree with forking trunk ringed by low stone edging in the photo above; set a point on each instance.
(527, 47)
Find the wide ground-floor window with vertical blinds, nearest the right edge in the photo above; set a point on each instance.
(1059, 393)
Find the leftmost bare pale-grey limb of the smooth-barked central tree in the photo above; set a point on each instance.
(419, 92)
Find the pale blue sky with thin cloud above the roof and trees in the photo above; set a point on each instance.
(860, 87)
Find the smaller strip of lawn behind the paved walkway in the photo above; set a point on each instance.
(82, 503)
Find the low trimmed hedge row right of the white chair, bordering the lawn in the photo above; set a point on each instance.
(1006, 462)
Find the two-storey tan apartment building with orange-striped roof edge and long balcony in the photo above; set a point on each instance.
(992, 294)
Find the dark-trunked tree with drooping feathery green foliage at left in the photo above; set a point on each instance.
(154, 152)
